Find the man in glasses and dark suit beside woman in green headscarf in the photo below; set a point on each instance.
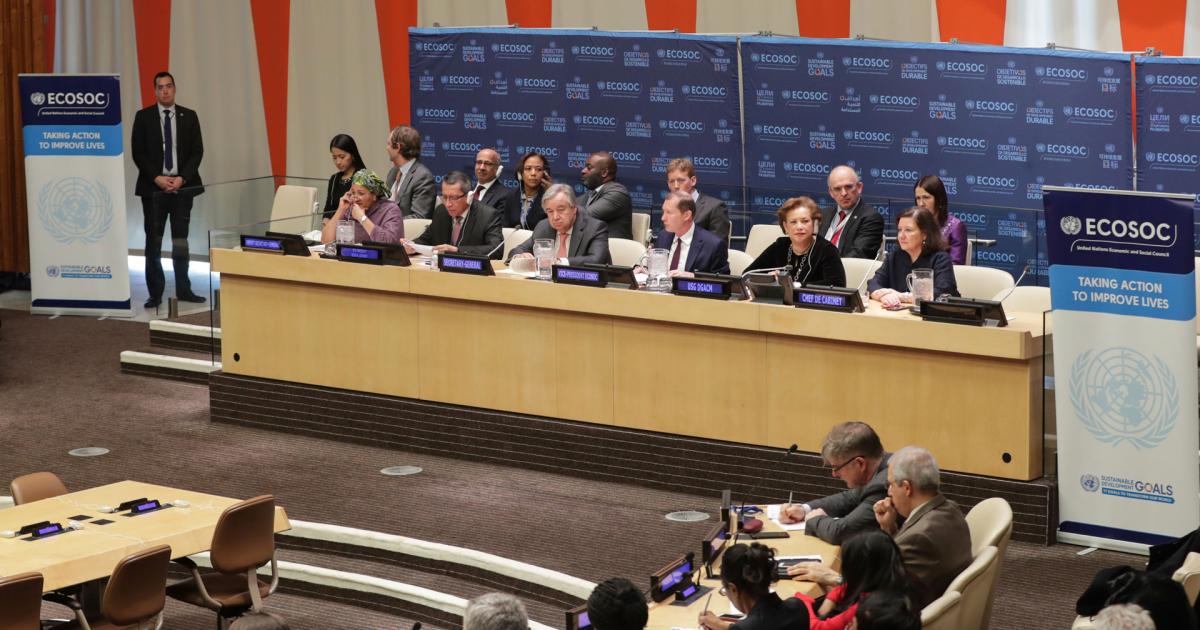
(463, 225)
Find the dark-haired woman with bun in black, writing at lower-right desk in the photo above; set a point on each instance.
(747, 575)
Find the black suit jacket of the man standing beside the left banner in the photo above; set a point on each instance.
(146, 147)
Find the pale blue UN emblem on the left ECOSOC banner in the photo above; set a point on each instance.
(74, 209)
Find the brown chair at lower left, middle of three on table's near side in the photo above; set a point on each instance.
(134, 597)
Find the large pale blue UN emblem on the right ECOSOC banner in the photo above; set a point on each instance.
(1121, 395)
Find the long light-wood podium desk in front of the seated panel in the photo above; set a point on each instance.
(735, 371)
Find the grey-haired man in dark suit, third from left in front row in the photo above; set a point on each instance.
(578, 237)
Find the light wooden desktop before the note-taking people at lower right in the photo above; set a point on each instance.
(665, 616)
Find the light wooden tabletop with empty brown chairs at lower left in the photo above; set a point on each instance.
(91, 554)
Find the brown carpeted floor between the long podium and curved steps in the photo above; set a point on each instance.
(62, 388)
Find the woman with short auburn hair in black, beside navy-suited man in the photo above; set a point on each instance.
(808, 257)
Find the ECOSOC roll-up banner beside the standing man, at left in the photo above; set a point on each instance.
(75, 182)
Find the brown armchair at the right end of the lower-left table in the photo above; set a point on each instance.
(243, 542)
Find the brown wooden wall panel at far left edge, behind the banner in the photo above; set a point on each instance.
(22, 50)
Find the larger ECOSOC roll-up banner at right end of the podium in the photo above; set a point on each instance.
(1123, 284)
